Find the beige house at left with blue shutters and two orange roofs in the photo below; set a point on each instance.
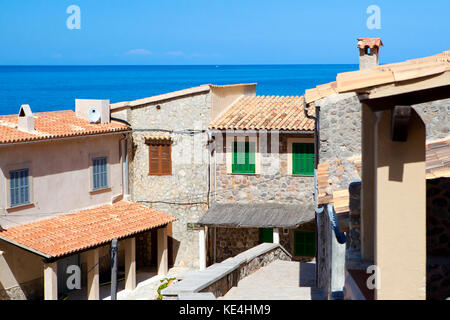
(63, 199)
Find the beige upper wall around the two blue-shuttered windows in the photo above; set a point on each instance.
(61, 176)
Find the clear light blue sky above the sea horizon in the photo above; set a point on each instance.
(216, 32)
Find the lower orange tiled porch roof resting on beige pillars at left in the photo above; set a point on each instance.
(85, 229)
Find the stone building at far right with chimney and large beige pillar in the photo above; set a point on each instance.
(343, 154)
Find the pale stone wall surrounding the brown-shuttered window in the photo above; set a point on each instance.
(184, 194)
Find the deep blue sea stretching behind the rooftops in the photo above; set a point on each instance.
(49, 88)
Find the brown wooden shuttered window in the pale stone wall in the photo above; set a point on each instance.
(160, 157)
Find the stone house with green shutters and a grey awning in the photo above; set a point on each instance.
(263, 159)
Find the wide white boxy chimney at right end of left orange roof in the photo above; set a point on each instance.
(95, 111)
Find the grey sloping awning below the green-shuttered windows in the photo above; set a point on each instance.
(258, 215)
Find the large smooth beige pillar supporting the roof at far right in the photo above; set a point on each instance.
(400, 214)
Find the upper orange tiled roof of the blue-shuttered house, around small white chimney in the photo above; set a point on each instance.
(51, 125)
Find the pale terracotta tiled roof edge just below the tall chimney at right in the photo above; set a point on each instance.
(387, 74)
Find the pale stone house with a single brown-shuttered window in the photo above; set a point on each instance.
(169, 160)
